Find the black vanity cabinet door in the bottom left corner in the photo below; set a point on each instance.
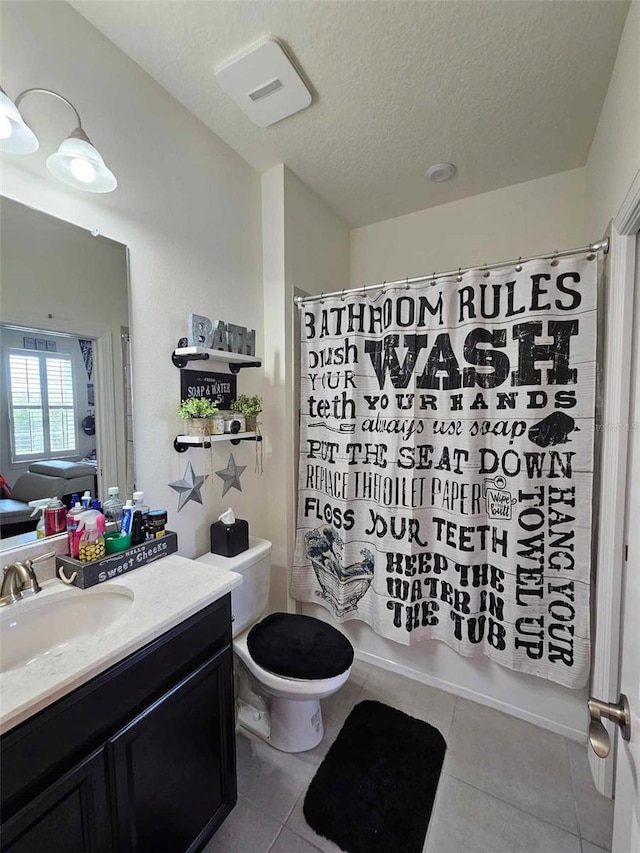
(70, 815)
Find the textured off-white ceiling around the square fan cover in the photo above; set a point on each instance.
(508, 91)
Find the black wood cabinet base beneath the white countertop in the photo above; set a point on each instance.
(139, 760)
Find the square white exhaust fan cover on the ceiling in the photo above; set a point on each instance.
(264, 83)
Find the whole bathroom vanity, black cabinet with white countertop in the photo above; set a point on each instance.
(123, 739)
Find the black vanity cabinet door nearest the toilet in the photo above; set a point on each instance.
(173, 768)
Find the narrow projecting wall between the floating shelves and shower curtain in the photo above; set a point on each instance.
(305, 246)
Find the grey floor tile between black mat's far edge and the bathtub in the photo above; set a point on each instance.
(414, 698)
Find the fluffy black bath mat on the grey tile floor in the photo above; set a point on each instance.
(374, 791)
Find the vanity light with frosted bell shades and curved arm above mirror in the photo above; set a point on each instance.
(76, 162)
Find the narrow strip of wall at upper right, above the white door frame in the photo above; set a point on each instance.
(614, 157)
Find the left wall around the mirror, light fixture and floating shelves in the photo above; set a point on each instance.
(188, 208)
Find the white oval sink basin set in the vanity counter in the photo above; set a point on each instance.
(46, 624)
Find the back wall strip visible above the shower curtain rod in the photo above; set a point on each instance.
(524, 219)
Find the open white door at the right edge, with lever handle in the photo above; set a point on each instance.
(626, 825)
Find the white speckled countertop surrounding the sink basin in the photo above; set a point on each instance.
(164, 594)
